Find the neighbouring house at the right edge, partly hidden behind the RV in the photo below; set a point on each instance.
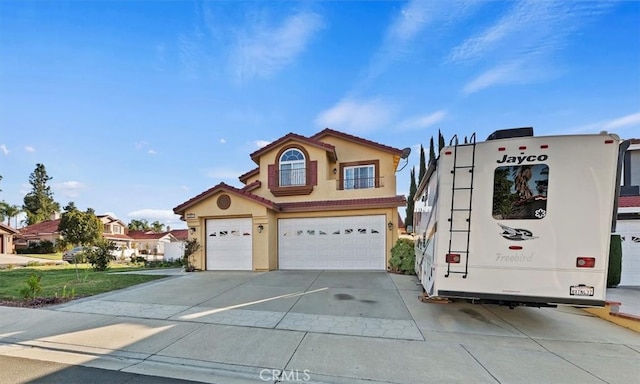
(628, 226)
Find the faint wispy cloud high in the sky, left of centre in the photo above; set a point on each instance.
(264, 51)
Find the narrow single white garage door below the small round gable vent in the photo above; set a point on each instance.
(229, 244)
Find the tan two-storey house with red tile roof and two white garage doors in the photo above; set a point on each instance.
(322, 202)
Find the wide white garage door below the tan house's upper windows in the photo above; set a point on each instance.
(350, 242)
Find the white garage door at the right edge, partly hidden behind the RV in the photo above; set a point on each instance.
(629, 230)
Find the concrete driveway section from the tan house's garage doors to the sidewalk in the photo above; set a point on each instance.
(348, 303)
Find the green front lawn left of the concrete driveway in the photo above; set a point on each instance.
(62, 281)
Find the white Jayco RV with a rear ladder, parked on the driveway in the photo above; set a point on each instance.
(519, 219)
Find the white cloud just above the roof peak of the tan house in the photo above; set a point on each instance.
(356, 116)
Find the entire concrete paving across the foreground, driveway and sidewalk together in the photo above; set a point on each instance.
(318, 326)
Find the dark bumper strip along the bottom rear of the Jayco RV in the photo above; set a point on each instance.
(520, 300)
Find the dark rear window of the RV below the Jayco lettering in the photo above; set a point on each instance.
(520, 192)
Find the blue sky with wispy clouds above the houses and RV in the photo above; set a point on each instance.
(137, 106)
